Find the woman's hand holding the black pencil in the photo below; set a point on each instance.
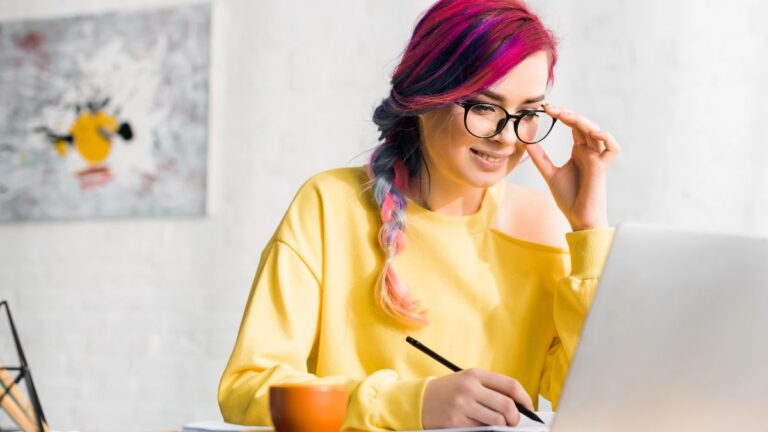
(473, 397)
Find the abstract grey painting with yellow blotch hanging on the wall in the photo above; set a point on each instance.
(105, 116)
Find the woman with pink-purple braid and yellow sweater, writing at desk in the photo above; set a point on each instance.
(430, 241)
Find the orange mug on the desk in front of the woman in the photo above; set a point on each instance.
(307, 407)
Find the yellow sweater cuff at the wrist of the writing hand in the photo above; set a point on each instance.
(403, 402)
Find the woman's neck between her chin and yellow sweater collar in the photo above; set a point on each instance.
(445, 197)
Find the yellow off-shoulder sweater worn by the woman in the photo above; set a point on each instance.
(494, 302)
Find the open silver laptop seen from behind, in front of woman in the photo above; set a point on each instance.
(676, 338)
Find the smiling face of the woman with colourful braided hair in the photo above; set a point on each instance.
(462, 160)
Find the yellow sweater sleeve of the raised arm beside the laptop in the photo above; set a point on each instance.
(572, 299)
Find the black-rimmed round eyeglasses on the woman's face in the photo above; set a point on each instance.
(485, 120)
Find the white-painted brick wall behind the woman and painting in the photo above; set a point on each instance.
(128, 323)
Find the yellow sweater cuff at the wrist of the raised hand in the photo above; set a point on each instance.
(589, 250)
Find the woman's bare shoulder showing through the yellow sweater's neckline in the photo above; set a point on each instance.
(532, 215)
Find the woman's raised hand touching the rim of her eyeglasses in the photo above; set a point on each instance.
(579, 186)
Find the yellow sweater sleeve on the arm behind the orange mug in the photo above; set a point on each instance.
(277, 341)
